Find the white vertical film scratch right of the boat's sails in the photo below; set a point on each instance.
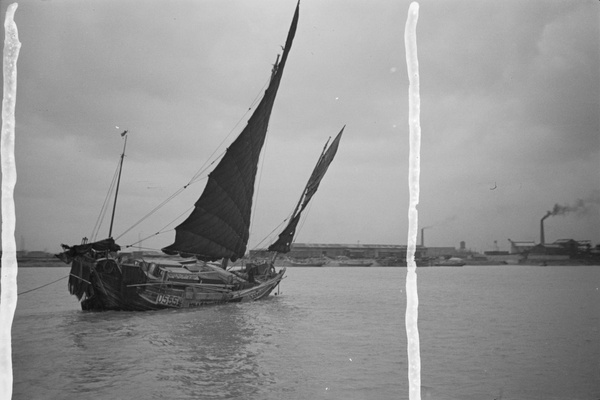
(412, 297)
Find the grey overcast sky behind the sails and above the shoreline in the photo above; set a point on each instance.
(510, 116)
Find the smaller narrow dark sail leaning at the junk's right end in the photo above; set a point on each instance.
(283, 243)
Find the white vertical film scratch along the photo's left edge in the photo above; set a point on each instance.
(8, 297)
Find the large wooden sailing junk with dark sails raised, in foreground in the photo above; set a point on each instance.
(216, 230)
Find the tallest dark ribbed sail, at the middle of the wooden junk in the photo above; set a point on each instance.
(219, 225)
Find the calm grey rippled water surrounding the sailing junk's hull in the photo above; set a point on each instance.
(506, 332)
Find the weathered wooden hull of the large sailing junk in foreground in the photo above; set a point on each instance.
(131, 286)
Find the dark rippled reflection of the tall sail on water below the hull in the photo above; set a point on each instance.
(216, 353)
